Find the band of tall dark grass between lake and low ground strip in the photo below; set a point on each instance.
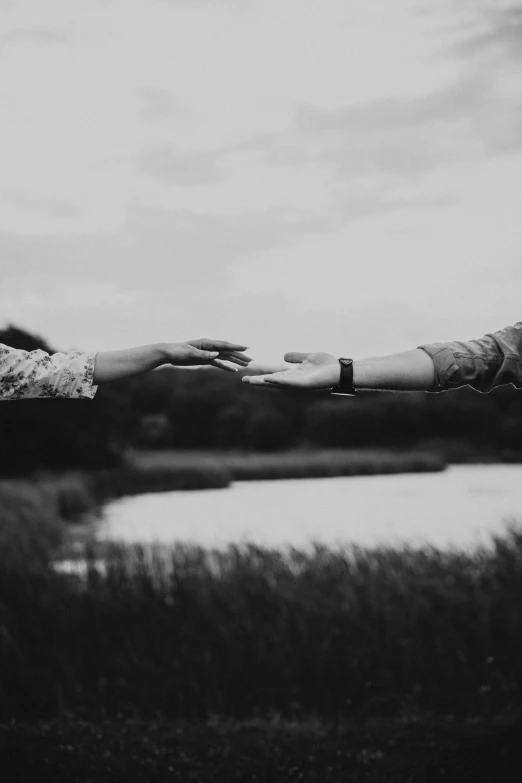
(252, 631)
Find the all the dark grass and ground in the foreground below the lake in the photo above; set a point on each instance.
(252, 664)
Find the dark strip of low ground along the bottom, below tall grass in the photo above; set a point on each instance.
(130, 750)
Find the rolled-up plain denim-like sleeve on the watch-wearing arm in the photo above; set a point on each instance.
(491, 361)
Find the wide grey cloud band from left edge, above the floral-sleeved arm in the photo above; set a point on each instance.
(157, 246)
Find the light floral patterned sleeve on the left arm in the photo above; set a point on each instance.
(26, 374)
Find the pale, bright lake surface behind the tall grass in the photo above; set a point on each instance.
(461, 506)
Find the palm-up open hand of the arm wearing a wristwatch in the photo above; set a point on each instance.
(312, 372)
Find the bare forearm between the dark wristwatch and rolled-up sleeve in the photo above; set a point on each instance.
(406, 371)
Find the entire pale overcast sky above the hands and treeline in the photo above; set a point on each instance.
(292, 174)
